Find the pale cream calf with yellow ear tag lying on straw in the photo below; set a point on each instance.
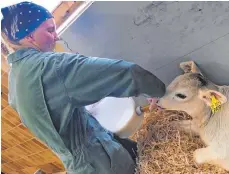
(207, 104)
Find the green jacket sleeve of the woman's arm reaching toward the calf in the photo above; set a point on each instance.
(89, 79)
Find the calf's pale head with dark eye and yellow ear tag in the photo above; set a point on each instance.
(191, 92)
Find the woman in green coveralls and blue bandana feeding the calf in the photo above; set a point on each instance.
(49, 91)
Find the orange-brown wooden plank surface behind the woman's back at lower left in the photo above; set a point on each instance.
(22, 153)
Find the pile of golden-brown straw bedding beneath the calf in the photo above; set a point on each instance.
(163, 149)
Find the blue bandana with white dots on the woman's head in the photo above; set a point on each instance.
(22, 19)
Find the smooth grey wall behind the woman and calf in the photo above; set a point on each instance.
(157, 35)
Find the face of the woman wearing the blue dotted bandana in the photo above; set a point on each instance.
(45, 36)
